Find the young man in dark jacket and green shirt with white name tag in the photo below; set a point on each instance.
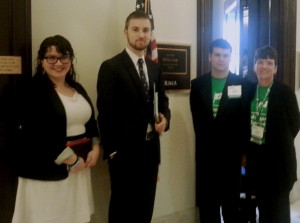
(219, 108)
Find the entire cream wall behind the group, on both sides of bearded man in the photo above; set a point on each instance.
(95, 29)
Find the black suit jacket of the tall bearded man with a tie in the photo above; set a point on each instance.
(124, 113)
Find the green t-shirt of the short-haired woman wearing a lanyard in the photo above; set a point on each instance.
(259, 109)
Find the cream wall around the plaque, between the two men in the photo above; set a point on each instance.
(175, 22)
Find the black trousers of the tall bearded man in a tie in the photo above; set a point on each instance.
(133, 186)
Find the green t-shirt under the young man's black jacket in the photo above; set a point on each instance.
(217, 89)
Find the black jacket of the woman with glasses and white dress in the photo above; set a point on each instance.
(42, 135)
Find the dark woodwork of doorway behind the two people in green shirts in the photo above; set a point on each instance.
(271, 22)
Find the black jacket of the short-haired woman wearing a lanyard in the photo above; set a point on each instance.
(275, 163)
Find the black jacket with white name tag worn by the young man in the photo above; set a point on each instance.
(224, 135)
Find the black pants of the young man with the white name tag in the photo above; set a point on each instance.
(215, 192)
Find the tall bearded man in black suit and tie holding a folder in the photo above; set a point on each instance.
(129, 132)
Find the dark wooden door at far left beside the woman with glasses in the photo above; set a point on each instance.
(15, 40)
